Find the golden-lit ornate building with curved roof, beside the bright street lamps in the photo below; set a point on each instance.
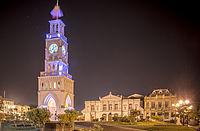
(159, 103)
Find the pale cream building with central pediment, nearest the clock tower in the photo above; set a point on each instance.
(111, 105)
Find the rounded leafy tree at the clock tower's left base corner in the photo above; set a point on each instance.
(38, 116)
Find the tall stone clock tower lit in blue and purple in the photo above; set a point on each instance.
(55, 85)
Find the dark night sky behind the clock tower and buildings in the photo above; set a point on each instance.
(122, 46)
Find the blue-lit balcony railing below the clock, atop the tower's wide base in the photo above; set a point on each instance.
(56, 73)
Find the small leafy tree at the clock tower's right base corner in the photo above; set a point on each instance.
(68, 118)
